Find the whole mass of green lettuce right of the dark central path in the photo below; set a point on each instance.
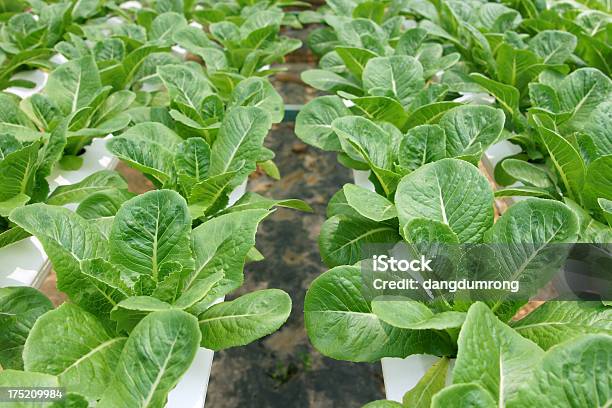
(399, 74)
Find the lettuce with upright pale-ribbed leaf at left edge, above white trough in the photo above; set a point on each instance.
(73, 91)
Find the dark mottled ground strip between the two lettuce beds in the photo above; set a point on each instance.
(283, 369)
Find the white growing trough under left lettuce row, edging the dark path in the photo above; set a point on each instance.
(191, 390)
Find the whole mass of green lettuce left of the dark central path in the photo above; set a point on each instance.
(182, 88)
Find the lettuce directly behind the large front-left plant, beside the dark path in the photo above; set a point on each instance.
(205, 174)
